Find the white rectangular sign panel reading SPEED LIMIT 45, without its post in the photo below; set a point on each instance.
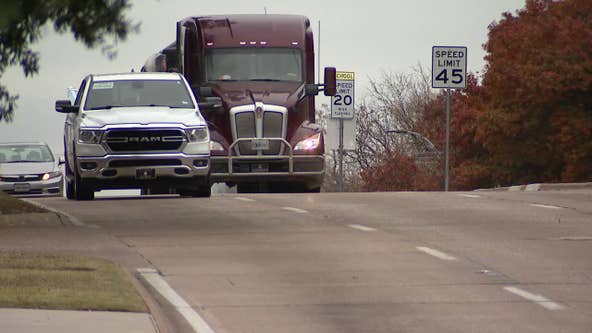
(449, 67)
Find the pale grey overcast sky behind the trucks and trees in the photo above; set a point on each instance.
(366, 37)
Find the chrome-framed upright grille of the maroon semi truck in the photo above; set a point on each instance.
(268, 122)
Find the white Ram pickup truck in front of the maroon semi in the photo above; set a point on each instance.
(135, 130)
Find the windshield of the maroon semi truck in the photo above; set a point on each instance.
(254, 64)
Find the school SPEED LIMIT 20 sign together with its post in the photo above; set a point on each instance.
(342, 107)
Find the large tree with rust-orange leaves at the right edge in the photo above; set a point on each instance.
(536, 123)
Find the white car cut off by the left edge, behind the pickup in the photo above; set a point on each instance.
(29, 169)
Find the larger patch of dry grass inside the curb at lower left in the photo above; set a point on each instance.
(64, 282)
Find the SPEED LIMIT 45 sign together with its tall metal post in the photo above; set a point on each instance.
(449, 71)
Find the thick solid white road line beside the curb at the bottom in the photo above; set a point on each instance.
(157, 282)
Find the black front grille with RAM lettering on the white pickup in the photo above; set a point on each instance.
(120, 140)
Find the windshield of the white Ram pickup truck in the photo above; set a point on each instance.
(130, 93)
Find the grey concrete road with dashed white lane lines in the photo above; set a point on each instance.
(364, 262)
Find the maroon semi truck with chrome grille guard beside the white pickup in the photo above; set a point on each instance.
(253, 76)
